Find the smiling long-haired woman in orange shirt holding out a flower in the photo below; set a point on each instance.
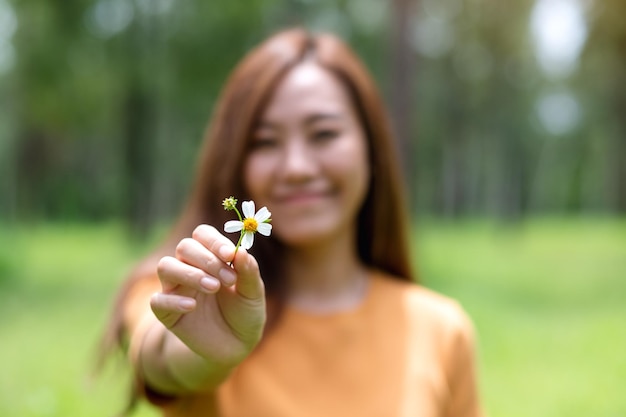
(324, 319)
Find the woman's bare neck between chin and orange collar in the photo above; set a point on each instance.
(326, 277)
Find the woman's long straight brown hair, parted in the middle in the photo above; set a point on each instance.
(382, 221)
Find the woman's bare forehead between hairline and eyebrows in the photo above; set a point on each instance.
(308, 88)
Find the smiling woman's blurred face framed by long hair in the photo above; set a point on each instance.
(308, 159)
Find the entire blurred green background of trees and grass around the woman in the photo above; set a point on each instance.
(510, 119)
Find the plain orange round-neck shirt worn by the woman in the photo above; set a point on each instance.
(404, 351)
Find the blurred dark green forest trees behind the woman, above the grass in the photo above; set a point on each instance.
(502, 109)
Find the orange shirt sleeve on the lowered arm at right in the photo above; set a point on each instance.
(461, 370)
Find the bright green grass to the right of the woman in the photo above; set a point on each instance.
(548, 299)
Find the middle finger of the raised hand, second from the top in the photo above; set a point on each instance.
(194, 253)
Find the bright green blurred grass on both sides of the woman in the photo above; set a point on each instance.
(547, 298)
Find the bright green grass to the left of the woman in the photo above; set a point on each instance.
(55, 294)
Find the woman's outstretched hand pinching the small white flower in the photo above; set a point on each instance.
(218, 311)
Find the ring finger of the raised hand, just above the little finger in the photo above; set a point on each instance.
(172, 273)
